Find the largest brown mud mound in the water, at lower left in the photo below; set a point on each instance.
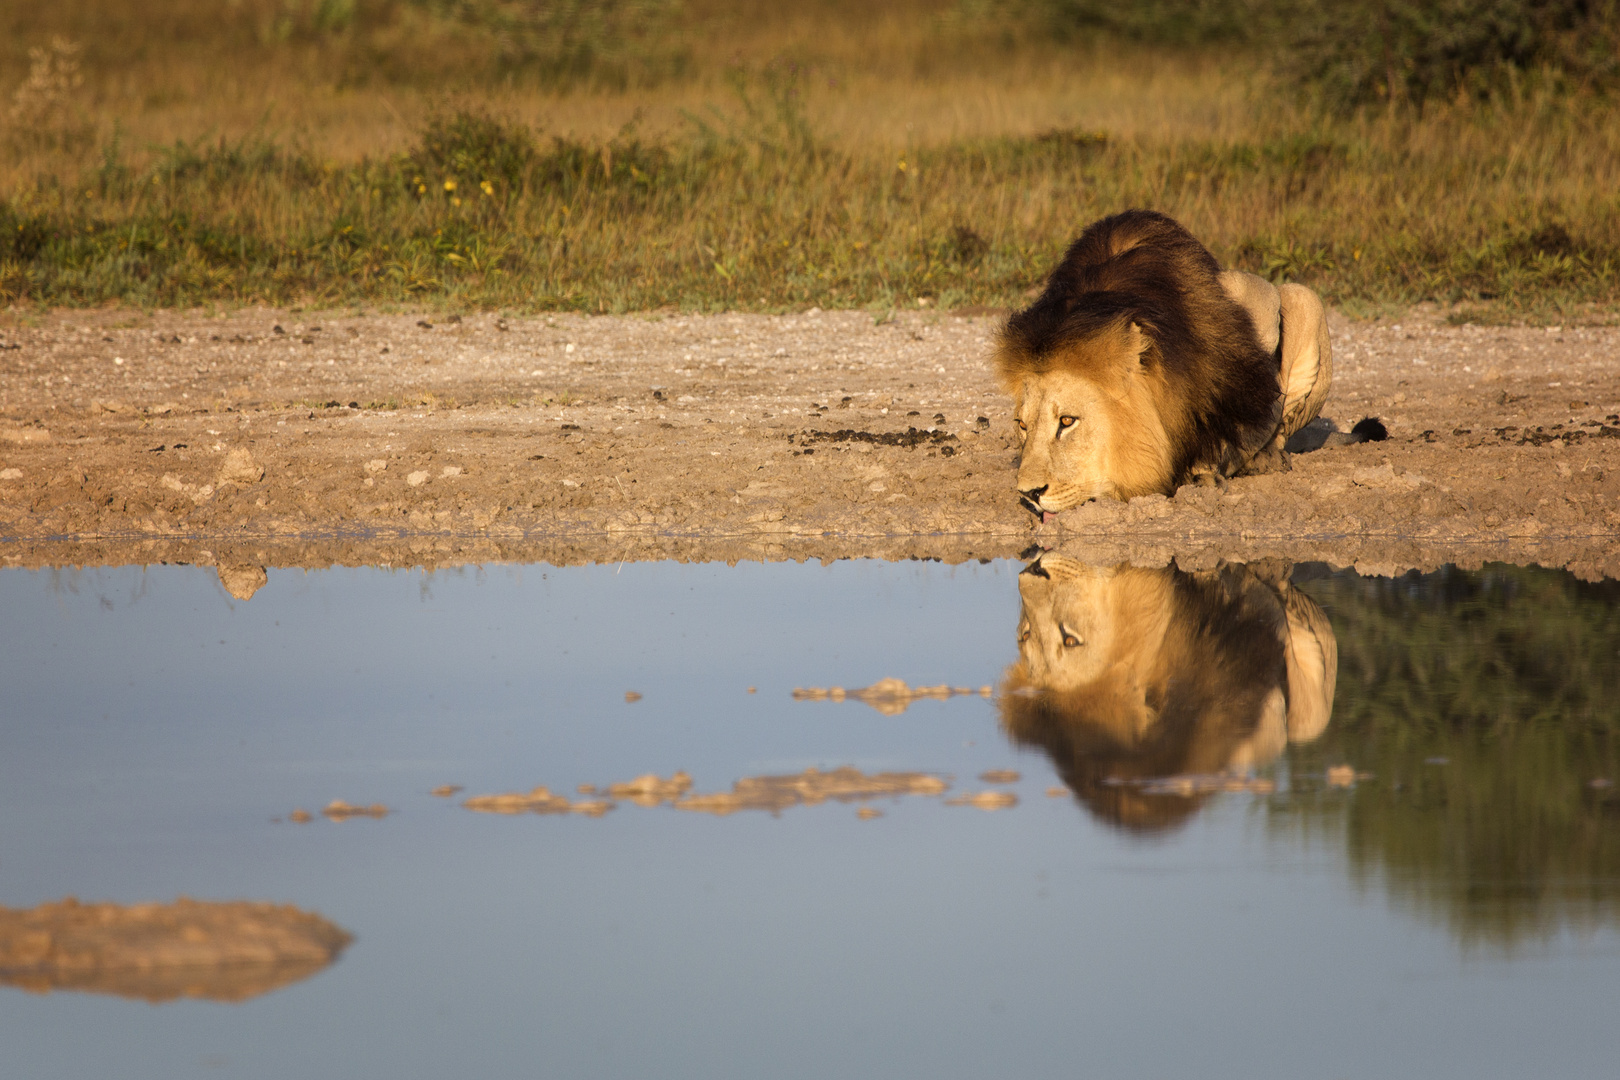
(164, 951)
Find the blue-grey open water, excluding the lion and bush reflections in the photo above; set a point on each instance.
(155, 734)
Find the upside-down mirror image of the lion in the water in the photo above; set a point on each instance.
(1130, 676)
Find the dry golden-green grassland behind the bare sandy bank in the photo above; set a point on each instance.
(855, 155)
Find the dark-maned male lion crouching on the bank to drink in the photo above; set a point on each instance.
(1145, 367)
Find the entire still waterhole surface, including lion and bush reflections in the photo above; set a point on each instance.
(1268, 822)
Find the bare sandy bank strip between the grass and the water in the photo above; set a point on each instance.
(279, 438)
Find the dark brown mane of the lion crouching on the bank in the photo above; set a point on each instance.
(1145, 268)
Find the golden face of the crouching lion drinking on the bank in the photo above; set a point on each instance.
(1091, 428)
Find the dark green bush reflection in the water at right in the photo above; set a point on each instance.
(1485, 705)
